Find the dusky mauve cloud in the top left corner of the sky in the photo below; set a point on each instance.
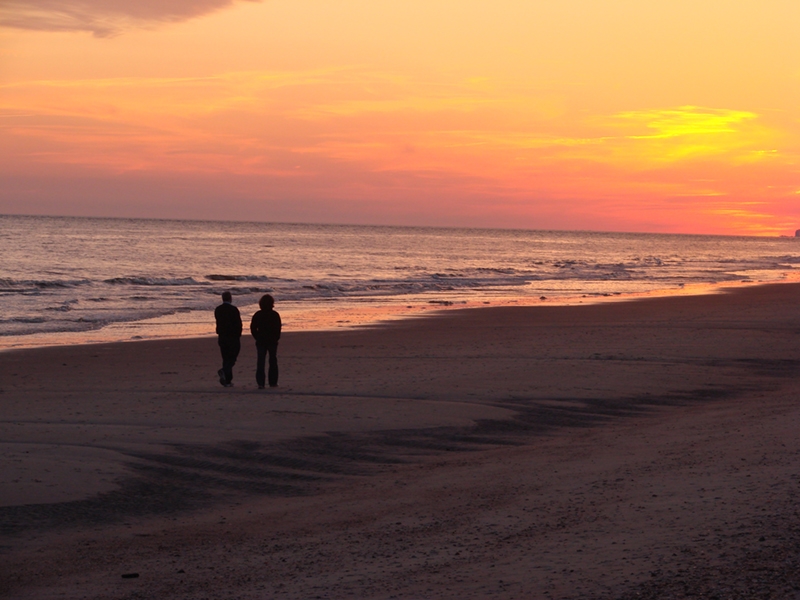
(102, 18)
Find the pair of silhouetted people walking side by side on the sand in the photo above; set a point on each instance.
(265, 326)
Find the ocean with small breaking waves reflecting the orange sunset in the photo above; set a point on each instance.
(67, 280)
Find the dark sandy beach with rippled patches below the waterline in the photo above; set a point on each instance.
(644, 449)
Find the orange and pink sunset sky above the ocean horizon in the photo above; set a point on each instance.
(623, 115)
